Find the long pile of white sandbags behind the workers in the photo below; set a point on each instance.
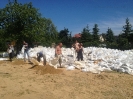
(95, 59)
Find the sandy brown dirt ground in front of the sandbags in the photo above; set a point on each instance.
(19, 80)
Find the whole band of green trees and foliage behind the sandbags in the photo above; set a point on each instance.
(20, 22)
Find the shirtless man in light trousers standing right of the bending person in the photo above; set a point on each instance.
(58, 53)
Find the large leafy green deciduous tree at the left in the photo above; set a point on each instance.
(23, 22)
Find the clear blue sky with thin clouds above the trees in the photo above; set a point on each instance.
(77, 14)
